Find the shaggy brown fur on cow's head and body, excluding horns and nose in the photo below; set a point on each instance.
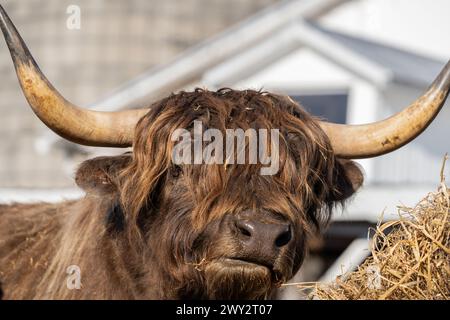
(150, 229)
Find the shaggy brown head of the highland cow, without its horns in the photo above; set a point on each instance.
(224, 230)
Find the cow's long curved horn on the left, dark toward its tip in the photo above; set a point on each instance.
(87, 127)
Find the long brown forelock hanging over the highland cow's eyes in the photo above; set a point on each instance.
(299, 189)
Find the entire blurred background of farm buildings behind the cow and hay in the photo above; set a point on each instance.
(348, 61)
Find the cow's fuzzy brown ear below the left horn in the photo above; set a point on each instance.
(99, 175)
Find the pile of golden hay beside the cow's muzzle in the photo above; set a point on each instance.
(410, 262)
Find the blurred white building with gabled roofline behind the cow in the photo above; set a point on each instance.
(383, 57)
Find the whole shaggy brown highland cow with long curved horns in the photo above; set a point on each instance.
(149, 228)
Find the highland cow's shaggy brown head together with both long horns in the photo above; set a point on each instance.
(219, 230)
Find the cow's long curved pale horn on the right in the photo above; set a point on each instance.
(378, 138)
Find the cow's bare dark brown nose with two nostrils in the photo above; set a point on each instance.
(262, 238)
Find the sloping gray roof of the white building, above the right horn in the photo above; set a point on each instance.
(407, 67)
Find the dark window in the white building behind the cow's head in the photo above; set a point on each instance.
(331, 107)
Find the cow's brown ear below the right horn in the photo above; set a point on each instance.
(348, 178)
